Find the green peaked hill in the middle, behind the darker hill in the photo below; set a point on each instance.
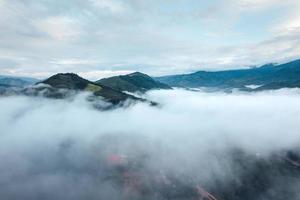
(134, 82)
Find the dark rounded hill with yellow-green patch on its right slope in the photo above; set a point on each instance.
(62, 85)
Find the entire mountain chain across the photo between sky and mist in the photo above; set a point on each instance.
(112, 89)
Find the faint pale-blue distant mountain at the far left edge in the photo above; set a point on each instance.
(11, 81)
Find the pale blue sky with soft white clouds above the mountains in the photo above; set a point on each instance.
(100, 38)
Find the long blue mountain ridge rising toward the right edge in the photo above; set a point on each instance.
(269, 76)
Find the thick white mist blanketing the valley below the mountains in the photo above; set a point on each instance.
(67, 149)
